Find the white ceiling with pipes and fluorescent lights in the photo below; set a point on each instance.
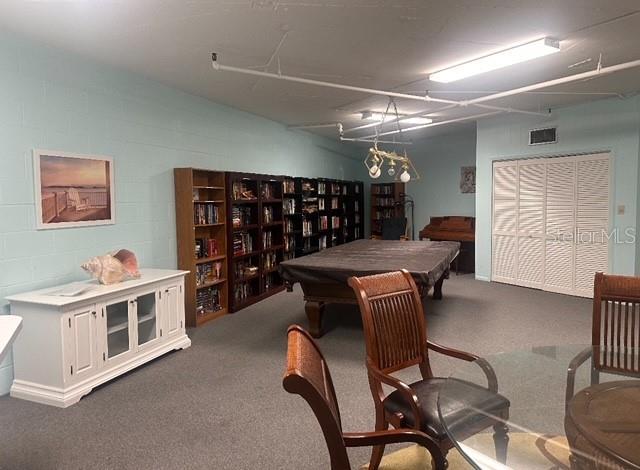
(389, 45)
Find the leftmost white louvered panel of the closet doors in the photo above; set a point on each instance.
(504, 222)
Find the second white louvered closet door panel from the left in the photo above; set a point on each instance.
(531, 226)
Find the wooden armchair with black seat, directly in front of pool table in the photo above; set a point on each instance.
(396, 338)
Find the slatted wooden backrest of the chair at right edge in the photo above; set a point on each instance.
(616, 323)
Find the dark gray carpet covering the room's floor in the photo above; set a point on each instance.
(220, 403)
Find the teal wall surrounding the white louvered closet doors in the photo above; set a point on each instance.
(603, 125)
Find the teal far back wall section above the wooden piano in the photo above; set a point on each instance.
(438, 160)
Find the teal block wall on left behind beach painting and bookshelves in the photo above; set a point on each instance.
(53, 100)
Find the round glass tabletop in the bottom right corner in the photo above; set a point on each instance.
(557, 418)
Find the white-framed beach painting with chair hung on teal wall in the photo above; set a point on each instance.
(73, 190)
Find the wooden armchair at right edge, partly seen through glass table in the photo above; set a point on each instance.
(615, 349)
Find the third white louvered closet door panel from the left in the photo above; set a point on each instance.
(560, 225)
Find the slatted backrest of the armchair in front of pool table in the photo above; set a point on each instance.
(393, 320)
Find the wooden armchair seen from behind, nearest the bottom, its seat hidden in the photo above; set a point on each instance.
(308, 375)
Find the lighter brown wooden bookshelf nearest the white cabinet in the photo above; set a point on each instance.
(202, 242)
